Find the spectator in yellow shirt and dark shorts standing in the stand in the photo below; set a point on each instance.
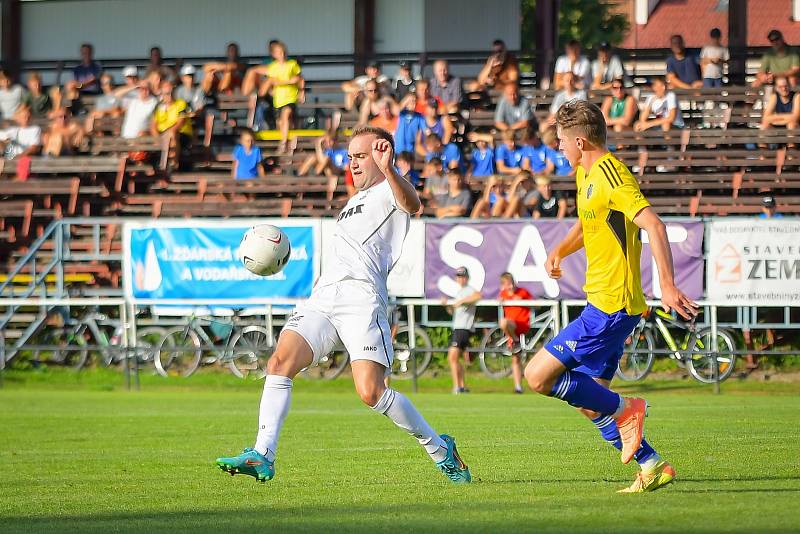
(285, 81)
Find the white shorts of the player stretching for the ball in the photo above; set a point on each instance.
(350, 312)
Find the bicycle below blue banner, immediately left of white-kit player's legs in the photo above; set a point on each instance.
(180, 351)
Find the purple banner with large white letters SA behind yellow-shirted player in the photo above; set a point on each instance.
(489, 249)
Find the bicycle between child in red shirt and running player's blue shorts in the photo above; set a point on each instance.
(495, 355)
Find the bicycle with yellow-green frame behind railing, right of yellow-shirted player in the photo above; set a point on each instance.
(695, 351)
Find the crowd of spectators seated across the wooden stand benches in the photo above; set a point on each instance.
(511, 162)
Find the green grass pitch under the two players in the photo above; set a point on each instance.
(76, 458)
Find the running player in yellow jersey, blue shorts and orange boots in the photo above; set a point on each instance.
(578, 364)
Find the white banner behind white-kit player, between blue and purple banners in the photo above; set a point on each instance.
(408, 276)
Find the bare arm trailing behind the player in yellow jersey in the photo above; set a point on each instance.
(671, 297)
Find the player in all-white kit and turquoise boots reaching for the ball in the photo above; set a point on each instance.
(348, 303)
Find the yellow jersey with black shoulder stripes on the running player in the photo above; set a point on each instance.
(608, 200)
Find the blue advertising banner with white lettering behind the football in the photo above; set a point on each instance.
(199, 261)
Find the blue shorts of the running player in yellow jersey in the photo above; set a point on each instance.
(593, 343)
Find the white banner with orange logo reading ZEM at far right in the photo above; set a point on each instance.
(754, 261)
